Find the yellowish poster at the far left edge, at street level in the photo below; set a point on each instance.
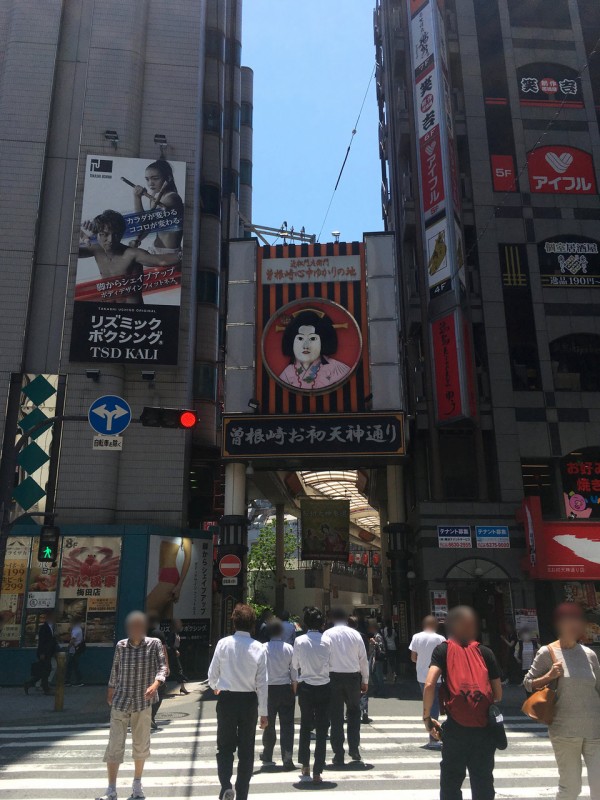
(12, 598)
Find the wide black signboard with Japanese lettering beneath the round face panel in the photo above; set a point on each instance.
(254, 436)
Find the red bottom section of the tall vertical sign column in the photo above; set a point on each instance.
(447, 375)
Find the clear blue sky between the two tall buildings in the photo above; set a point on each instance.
(312, 60)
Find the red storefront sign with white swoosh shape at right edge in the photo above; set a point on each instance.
(566, 550)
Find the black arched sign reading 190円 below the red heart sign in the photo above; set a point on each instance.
(569, 261)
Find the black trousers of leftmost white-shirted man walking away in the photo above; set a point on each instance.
(237, 716)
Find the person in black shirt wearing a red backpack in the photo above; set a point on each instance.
(471, 685)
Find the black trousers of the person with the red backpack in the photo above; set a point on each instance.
(465, 749)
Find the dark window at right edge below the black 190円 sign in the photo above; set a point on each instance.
(576, 362)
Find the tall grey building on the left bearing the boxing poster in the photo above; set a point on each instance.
(99, 97)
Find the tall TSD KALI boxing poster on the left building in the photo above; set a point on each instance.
(128, 281)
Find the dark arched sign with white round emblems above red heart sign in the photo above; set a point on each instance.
(542, 84)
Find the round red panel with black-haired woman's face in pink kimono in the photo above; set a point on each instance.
(311, 346)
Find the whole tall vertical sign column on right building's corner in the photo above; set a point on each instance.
(443, 241)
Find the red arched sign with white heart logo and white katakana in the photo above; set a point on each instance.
(557, 169)
